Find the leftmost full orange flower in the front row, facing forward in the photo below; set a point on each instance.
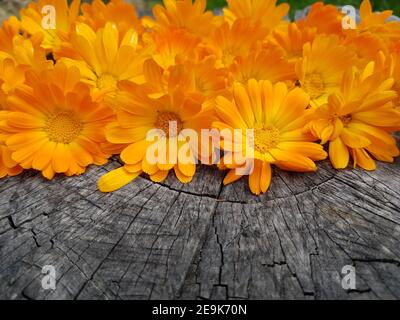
(54, 126)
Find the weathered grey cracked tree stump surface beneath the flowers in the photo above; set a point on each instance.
(202, 240)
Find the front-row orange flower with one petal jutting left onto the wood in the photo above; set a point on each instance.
(140, 113)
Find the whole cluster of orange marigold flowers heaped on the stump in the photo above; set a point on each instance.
(94, 86)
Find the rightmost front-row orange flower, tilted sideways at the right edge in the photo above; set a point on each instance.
(356, 120)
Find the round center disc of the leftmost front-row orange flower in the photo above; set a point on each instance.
(63, 127)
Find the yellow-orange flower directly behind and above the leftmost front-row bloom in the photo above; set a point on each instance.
(106, 57)
